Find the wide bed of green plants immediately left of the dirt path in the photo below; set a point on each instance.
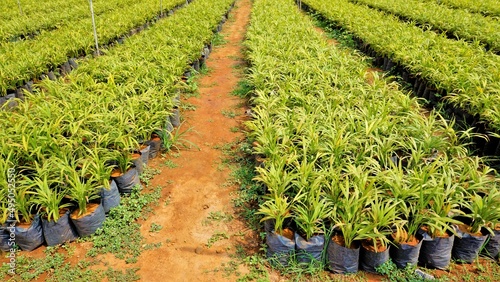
(63, 143)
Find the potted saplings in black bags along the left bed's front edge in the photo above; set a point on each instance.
(68, 215)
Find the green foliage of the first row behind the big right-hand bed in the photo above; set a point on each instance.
(469, 75)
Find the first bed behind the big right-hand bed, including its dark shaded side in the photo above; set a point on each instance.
(472, 107)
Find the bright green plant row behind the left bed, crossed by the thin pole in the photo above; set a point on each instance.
(26, 60)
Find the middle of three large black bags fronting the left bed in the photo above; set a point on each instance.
(59, 232)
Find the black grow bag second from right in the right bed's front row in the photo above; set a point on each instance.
(466, 247)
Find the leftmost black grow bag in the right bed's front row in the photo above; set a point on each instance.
(279, 248)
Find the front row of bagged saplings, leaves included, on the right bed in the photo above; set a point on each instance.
(367, 245)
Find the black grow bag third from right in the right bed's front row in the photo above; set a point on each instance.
(436, 252)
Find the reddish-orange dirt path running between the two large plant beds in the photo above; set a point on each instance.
(197, 236)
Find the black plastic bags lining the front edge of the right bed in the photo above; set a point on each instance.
(429, 252)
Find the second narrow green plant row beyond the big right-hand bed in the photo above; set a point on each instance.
(459, 23)
